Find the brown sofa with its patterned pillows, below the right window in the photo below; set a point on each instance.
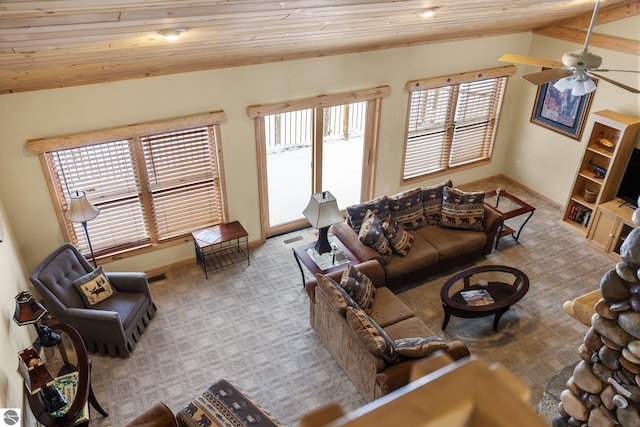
(445, 227)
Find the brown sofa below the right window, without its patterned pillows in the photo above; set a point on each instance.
(435, 249)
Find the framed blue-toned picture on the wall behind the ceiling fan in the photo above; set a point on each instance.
(561, 111)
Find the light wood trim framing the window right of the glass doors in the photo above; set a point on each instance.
(441, 81)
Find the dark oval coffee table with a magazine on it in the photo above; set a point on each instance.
(501, 295)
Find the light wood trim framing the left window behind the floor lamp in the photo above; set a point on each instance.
(41, 146)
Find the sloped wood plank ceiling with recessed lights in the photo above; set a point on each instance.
(59, 43)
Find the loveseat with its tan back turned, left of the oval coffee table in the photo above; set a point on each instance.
(371, 372)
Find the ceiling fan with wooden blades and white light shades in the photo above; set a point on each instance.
(575, 70)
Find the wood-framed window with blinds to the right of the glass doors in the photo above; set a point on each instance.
(452, 121)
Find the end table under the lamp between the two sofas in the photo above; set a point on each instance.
(336, 260)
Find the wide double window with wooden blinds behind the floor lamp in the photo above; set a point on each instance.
(152, 183)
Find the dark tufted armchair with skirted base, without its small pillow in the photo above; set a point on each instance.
(111, 326)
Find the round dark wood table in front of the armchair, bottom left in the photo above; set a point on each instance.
(67, 357)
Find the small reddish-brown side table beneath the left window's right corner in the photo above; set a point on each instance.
(221, 245)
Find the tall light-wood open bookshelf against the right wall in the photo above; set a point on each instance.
(608, 149)
